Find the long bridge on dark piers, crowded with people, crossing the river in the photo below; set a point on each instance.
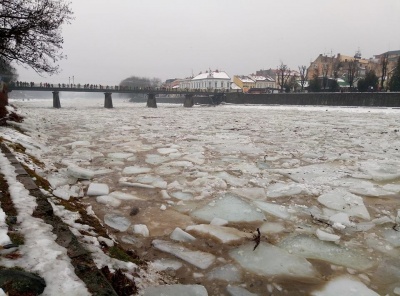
(151, 92)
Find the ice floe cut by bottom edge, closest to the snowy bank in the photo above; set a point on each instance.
(174, 290)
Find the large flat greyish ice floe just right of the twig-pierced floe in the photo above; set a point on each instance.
(312, 248)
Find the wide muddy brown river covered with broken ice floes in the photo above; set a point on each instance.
(320, 183)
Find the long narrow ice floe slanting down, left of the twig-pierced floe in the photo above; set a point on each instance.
(199, 259)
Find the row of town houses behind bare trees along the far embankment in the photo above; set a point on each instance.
(333, 67)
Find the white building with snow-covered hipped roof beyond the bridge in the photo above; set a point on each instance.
(213, 80)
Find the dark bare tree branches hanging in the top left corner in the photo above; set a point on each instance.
(30, 32)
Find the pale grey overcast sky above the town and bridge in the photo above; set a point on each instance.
(112, 40)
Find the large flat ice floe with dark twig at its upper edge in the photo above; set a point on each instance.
(269, 260)
